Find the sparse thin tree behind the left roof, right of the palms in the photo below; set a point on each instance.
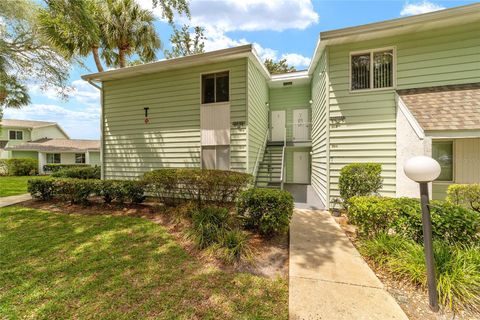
(185, 43)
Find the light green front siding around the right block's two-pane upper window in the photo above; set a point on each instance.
(446, 56)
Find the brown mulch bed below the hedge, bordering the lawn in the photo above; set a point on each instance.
(270, 257)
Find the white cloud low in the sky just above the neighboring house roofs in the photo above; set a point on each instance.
(78, 124)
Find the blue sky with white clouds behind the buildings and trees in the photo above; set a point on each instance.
(278, 28)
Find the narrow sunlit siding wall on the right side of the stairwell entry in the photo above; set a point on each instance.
(320, 114)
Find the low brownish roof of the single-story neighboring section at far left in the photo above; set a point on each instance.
(58, 145)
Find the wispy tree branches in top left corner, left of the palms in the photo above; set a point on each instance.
(26, 58)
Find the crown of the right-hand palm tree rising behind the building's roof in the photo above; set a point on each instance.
(127, 29)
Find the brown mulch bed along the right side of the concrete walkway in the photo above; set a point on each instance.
(412, 299)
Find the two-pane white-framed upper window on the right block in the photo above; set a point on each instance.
(372, 69)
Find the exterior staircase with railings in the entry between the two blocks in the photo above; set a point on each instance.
(270, 168)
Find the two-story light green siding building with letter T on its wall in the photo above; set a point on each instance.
(364, 98)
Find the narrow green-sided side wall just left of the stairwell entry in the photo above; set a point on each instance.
(257, 114)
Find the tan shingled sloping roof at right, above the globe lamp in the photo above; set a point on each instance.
(452, 107)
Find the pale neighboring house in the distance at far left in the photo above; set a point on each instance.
(45, 141)
